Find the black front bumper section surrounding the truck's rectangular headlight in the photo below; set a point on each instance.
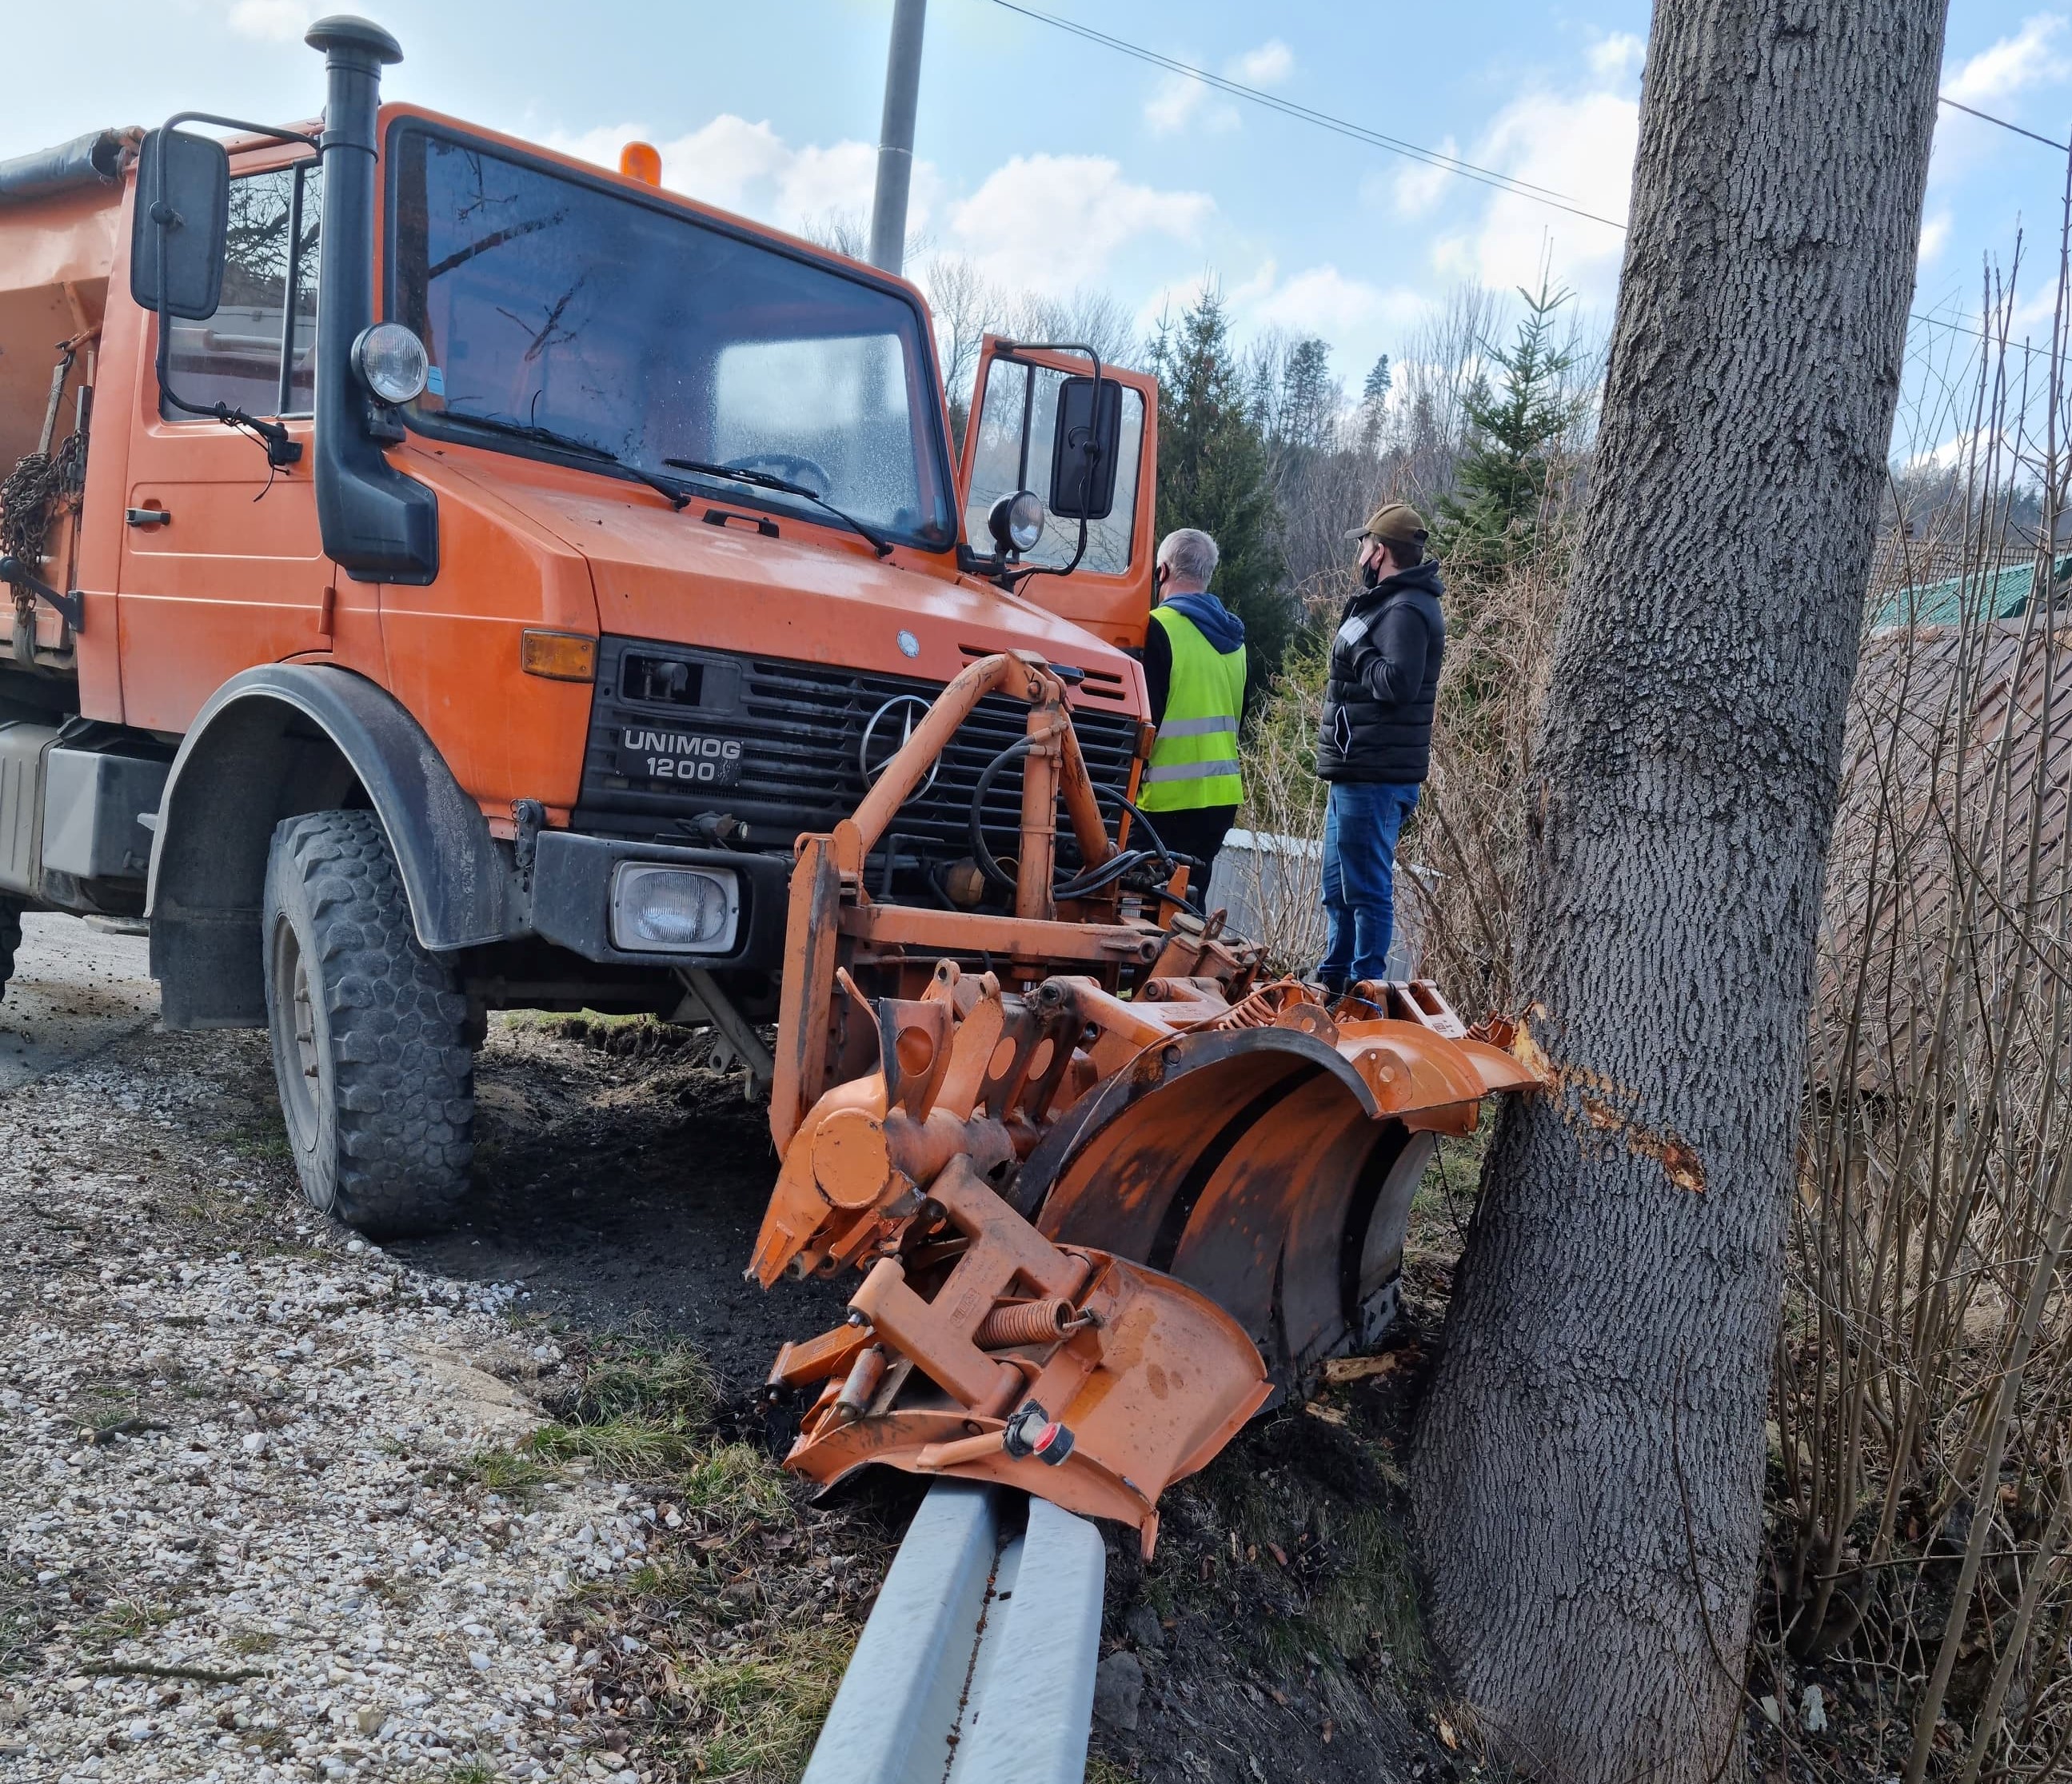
(573, 892)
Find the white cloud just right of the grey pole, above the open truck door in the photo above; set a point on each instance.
(1052, 223)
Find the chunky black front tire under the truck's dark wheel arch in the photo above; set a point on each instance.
(370, 1033)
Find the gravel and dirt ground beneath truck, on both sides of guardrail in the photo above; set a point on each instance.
(150, 1207)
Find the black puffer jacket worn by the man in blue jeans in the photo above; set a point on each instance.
(1385, 681)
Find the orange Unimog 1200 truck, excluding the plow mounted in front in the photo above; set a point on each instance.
(449, 577)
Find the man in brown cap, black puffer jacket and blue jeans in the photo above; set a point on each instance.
(1375, 743)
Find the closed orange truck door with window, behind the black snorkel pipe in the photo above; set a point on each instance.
(233, 573)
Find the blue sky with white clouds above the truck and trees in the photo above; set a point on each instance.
(1062, 165)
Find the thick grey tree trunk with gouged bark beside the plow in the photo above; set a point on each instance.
(1588, 1474)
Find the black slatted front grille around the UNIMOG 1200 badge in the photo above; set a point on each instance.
(801, 728)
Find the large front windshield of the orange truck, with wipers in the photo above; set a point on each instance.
(556, 306)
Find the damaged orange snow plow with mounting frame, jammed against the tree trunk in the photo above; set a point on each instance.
(1107, 1201)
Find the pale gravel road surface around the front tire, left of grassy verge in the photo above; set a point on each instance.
(237, 1526)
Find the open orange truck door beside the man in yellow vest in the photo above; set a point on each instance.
(1008, 447)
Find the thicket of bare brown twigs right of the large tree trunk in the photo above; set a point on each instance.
(1924, 1379)
